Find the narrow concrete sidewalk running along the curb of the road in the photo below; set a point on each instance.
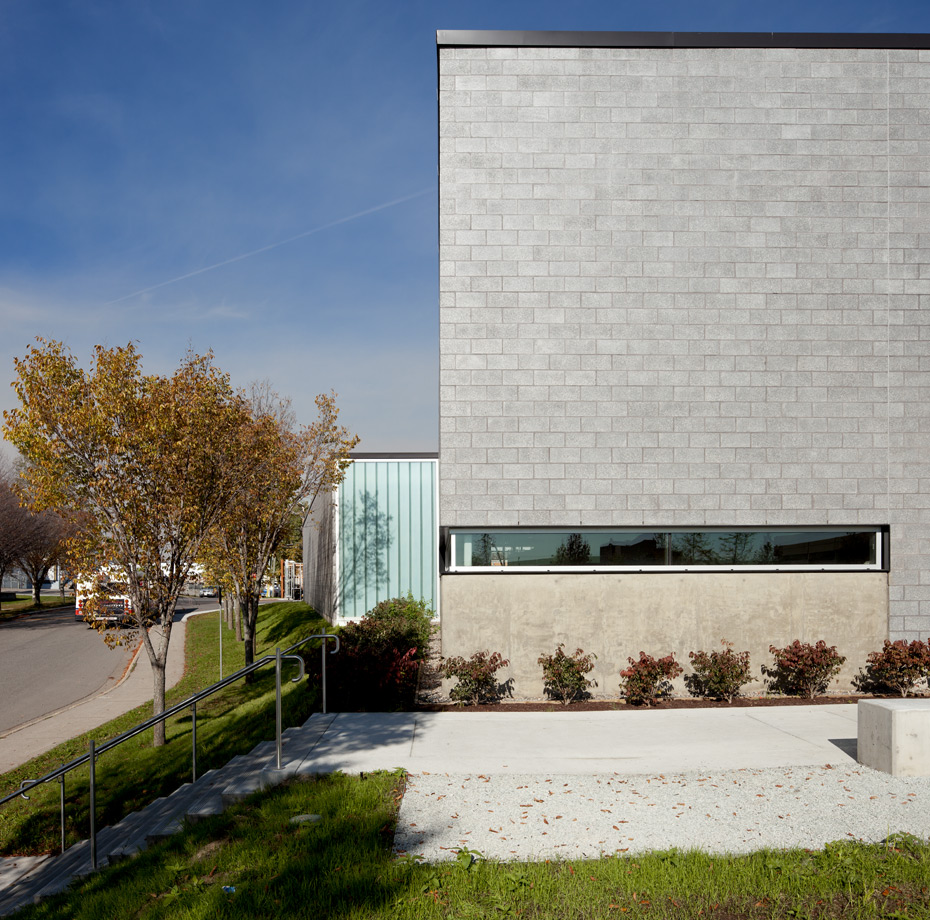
(23, 743)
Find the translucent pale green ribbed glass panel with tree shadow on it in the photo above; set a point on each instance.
(388, 535)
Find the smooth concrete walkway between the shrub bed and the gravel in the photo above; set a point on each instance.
(590, 742)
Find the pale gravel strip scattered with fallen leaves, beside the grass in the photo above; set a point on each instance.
(533, 817)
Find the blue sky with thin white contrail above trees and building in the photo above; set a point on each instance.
(260, 179)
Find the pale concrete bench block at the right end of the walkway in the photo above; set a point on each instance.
(894, 736)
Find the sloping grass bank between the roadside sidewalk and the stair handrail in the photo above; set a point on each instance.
(134, 774)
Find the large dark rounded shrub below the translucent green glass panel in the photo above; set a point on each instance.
(379, 658)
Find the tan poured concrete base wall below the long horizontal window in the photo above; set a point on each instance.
(617, 616)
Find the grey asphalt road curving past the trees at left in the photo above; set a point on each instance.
(51, 659)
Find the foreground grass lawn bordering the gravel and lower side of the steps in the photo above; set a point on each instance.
(253, 862)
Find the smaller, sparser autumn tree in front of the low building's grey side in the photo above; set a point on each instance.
(298, 463)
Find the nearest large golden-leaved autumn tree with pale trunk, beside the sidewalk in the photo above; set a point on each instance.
(153, 460)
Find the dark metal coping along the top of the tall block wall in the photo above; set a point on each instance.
(446, 38)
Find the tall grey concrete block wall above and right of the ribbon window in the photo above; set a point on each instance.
(688, 286)
